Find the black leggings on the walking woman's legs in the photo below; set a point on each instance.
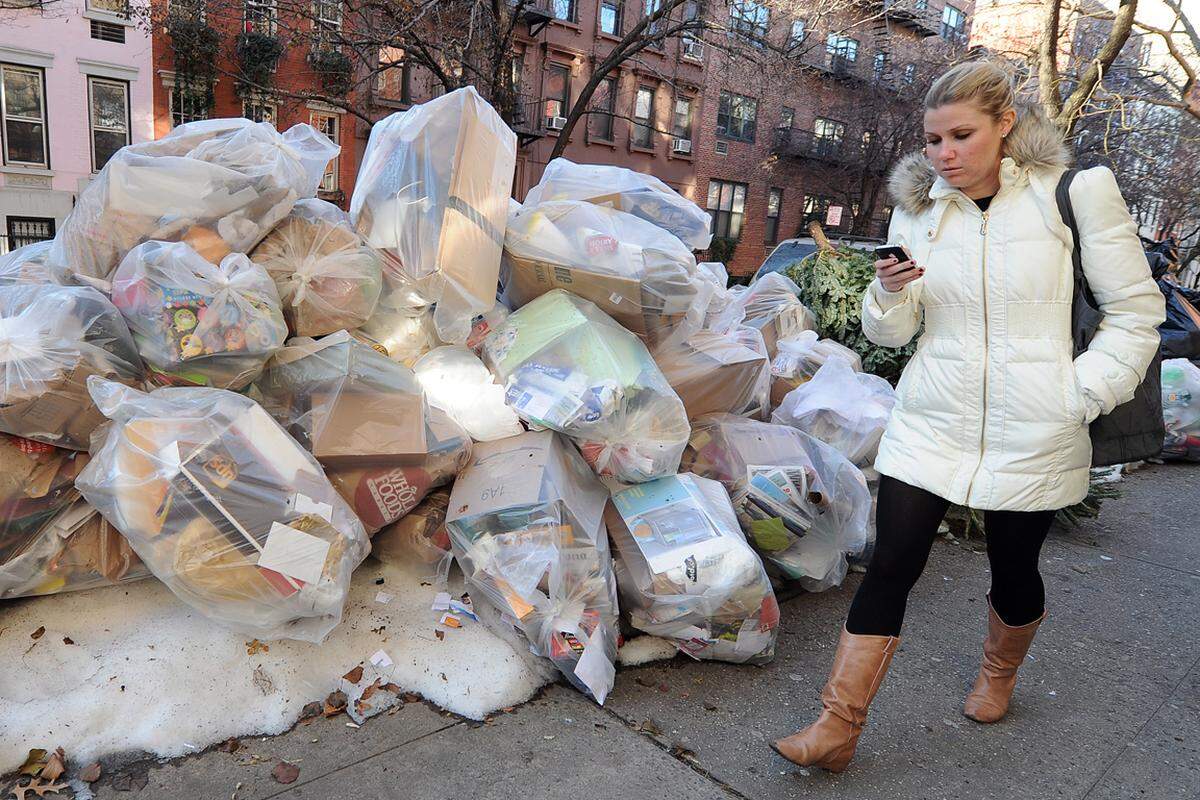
(907, 525)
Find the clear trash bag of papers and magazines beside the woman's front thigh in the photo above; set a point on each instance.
(807, 539)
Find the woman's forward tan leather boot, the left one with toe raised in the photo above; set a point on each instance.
(859, 670)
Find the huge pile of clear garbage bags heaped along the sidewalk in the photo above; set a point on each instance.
(215, 381)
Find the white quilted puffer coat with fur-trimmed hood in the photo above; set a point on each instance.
(993, 412)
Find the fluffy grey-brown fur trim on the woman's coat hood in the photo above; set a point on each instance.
(1034, 143)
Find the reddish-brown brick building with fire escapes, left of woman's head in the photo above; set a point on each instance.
(812, 139)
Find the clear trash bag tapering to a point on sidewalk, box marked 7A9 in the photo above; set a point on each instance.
(526, 525)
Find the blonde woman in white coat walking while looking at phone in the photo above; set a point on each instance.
(992, 412)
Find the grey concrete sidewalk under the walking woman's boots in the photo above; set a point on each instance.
(1108, 706)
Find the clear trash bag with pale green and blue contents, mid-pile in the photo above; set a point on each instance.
(568, 366)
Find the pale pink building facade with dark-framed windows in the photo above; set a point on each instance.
(75, 87)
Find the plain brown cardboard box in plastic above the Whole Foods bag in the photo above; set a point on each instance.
(351, 429)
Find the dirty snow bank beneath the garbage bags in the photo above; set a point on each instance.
(133, 669)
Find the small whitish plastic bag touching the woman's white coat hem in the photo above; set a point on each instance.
(841, 407)
